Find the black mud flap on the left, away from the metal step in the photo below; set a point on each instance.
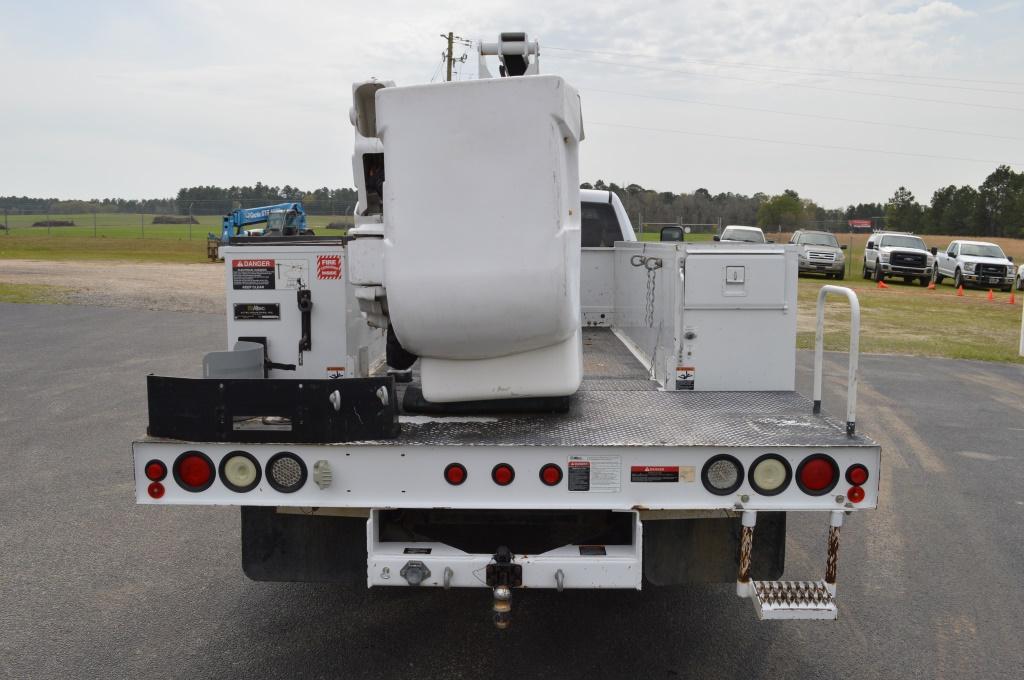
(306, 548)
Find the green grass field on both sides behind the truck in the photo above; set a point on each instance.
(901, 320)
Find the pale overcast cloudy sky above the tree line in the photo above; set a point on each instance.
(842, 101)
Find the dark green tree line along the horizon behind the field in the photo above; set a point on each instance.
(996, 208)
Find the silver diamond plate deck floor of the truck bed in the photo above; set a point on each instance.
(618, 406)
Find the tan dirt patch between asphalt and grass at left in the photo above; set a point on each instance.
(139, 285)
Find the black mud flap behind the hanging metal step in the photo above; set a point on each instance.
(690, 551)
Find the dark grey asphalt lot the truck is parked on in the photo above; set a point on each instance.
(94, 586)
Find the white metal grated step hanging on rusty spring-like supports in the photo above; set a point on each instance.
(776, 601)
